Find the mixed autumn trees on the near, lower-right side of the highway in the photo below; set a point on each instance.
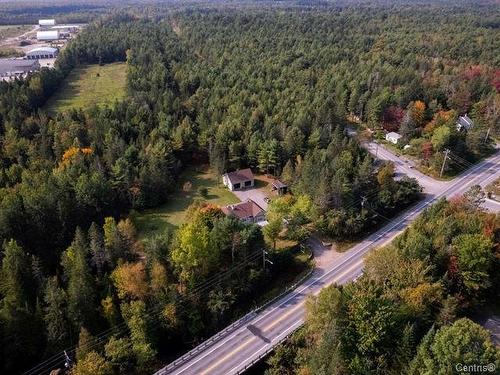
(405, 315)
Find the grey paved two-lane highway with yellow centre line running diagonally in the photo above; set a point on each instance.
(240, 345)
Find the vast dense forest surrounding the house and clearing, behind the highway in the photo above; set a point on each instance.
(270, 89)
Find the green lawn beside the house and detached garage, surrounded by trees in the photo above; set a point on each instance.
(172, 214)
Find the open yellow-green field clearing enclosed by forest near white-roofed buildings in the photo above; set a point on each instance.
(90, 85)
